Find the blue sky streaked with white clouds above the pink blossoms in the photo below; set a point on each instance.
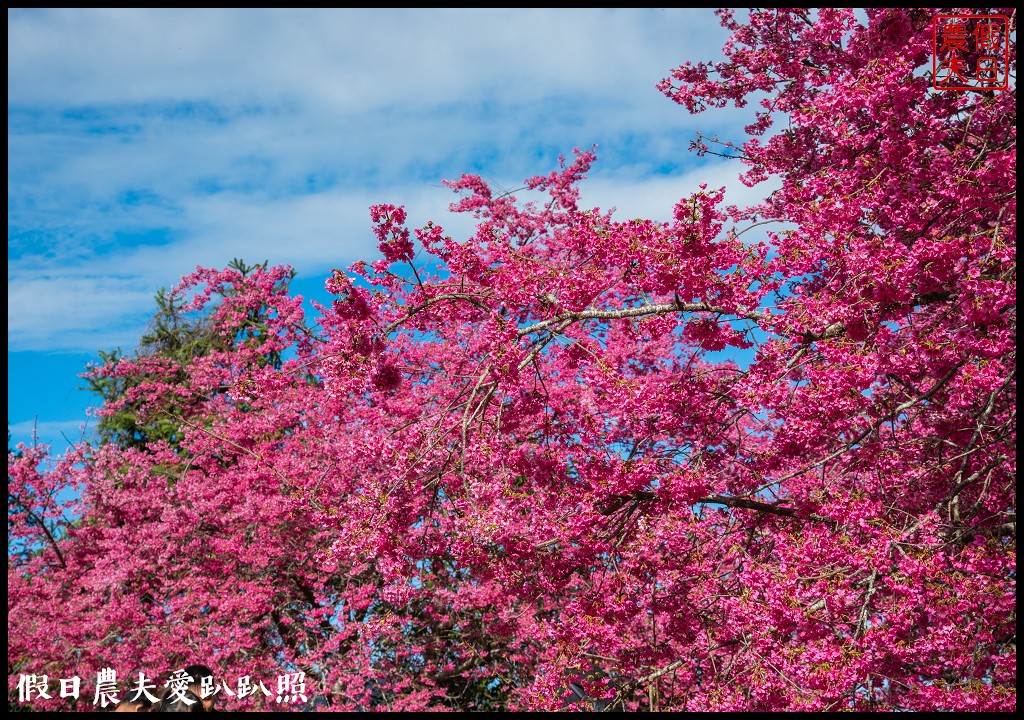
(143, 143)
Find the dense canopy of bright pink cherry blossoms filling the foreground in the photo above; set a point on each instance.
(663, 464)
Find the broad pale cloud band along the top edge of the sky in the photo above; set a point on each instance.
(349, 59)
